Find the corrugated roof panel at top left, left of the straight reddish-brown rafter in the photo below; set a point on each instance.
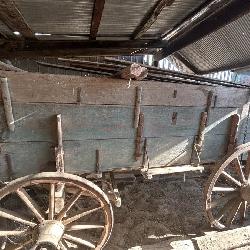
(57, 16)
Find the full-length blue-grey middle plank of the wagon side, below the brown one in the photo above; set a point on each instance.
(37, 122)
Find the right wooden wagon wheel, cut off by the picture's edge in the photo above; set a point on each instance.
(227, 192)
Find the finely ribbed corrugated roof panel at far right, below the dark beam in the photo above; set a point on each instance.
(224, 48)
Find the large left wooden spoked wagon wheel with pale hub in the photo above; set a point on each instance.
(30, 217)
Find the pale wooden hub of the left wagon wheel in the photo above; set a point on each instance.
(49, 234)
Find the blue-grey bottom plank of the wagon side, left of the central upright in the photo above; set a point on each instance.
(33, 157)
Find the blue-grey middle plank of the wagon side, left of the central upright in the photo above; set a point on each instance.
(37, 122)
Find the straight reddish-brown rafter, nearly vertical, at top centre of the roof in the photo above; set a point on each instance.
(96, 18)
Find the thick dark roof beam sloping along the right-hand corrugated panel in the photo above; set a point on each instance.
(210, 18)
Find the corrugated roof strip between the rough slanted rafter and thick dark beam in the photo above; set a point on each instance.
(173, 15)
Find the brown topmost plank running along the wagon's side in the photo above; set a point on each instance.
(32, 87)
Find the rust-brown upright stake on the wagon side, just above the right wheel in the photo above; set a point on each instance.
(232, 140)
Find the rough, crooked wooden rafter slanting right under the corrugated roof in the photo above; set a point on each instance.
(151, 17)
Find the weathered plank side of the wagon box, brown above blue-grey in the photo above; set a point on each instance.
(103, 114)
